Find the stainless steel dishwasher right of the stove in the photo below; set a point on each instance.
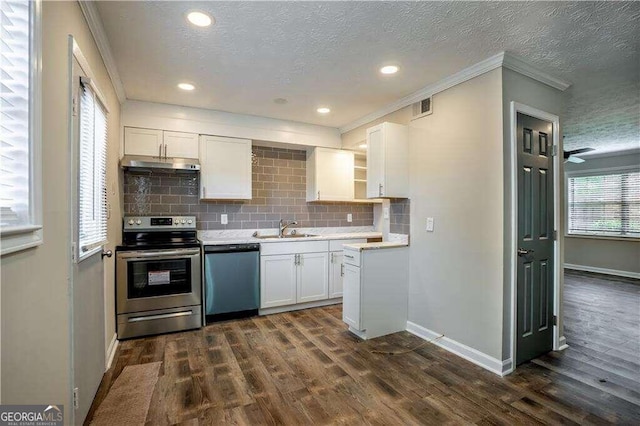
(231, 281)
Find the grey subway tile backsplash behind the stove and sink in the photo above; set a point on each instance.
(279, 191)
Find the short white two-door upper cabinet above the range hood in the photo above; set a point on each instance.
(159, 143)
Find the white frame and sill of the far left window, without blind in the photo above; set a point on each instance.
(31, 235)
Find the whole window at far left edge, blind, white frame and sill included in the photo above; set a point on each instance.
(20, 183)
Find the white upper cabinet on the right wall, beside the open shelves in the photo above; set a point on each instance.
(388, 161)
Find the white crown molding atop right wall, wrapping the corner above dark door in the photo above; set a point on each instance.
(502, 59)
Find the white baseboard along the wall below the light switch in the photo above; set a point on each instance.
(485, 361)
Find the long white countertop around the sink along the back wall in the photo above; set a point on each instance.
(244, 236)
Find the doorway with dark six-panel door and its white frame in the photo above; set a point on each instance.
(535, 249)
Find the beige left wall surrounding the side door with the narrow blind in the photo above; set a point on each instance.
(35, 283)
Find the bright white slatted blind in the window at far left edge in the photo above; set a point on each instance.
(15, 113)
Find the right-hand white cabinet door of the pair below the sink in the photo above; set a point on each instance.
(313, 276)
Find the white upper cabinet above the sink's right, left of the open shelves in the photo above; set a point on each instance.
(330, 175)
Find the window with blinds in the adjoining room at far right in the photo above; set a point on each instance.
(605, 204)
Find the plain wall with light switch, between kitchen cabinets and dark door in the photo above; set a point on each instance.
(456, 170)
